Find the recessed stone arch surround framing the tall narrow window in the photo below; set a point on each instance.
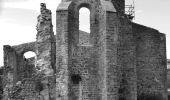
(73, 23)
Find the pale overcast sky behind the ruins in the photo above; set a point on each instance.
(18, 19)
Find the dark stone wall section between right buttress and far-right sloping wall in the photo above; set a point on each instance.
(126, 59)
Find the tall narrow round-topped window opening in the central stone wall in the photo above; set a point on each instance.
(84, 26)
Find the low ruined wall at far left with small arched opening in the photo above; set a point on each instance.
(17, 69)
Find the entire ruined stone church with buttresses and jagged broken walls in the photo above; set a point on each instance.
(117, 60)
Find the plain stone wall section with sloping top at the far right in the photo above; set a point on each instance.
(151, 63)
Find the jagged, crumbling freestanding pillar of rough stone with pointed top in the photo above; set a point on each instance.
(45, 44)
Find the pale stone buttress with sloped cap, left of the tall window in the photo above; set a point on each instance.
(62, 51)
